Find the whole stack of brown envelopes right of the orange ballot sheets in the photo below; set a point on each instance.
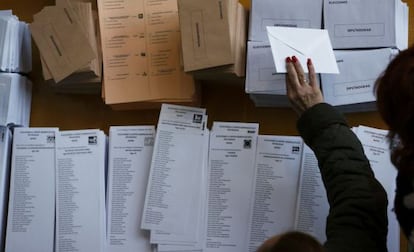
(213, 37)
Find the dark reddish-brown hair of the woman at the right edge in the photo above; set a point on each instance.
(395, 102)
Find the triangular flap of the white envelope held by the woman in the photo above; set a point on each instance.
(301, 40)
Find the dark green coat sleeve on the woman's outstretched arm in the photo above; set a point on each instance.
(357, 218)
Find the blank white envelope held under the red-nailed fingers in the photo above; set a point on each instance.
(302, 43)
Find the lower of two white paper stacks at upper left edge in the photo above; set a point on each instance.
(15, 100)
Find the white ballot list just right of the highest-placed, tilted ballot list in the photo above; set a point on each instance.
(230, 185)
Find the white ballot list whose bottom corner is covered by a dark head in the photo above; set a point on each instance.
(275, 188)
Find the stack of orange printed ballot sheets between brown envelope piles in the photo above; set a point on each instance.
(141, 46)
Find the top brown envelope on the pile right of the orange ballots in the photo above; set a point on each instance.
(205, 33)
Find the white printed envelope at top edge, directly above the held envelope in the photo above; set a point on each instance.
(292, 13)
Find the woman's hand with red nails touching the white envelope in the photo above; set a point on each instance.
(302, 92)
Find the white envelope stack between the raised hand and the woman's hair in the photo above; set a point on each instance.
(355, 84)
